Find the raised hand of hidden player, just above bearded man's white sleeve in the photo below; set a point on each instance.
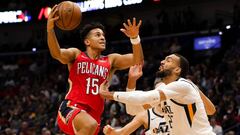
(135, 72)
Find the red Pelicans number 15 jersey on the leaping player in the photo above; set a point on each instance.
(85, 77)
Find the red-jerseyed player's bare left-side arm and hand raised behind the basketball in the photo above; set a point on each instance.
(63, 55)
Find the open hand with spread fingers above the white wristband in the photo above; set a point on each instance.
(131, 29)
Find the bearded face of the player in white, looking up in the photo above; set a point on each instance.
(168, 66)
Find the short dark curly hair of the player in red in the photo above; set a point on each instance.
(88, 27)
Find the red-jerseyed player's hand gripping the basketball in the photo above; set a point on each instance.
(52, 18)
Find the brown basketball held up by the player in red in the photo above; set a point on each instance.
(69, 15)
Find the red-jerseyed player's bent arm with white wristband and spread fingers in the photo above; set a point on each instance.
(131, 30)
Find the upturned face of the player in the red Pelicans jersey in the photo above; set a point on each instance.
(96, 39)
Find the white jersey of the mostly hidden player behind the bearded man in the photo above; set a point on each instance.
(157, 125)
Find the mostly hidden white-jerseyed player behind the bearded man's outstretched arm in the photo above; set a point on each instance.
(152, 119)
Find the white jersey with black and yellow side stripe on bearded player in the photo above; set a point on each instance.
(185, 109)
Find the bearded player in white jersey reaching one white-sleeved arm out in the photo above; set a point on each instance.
(186, 108)
